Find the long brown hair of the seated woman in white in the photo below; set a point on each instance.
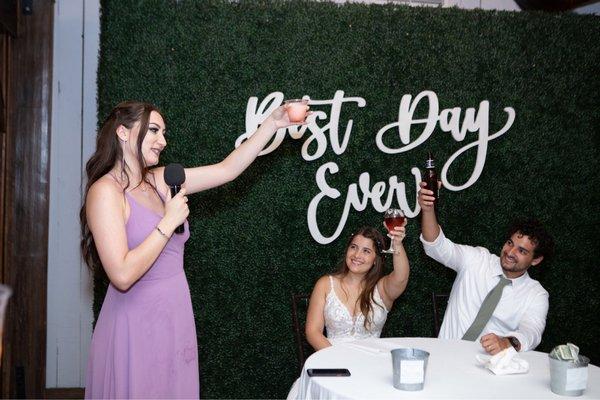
(366, 298)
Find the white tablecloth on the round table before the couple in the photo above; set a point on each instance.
(452, 373)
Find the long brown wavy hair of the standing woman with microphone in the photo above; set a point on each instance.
(108, 153)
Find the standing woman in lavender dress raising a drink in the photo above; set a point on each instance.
(144, 343)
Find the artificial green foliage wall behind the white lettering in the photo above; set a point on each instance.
(250, 248)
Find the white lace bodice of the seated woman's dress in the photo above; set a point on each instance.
(342, 327)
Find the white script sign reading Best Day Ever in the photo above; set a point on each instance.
(400, 132)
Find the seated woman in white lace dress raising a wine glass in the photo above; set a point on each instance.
(353, 303)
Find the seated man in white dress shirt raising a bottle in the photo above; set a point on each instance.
(519, 318)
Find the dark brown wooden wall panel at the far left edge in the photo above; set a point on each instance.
(26, 82)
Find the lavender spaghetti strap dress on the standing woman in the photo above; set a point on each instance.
(144, 344)
